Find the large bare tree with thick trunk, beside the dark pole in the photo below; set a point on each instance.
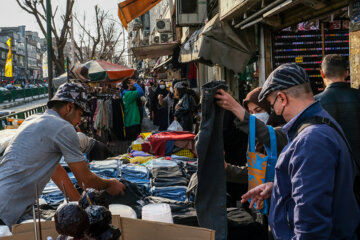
(38, 10)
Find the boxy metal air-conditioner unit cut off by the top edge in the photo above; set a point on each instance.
(189, 13)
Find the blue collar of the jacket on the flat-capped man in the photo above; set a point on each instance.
(290, 128)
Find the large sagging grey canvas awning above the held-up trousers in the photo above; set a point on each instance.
(218, 43)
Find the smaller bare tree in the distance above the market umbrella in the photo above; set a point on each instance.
(101, 43)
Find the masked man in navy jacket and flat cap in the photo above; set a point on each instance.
(312, 194)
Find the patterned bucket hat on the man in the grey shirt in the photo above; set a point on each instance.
(71, 92)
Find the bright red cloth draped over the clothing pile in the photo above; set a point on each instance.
(158, 140)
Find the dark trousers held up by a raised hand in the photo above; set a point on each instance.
(210, 200)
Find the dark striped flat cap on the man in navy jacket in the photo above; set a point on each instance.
(285, 76)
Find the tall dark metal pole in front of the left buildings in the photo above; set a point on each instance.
(49, 47)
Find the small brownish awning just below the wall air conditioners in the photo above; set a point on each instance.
(154, 51)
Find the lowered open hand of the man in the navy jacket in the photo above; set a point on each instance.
(258, 194)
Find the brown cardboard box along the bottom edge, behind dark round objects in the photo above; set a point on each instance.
(131, 229)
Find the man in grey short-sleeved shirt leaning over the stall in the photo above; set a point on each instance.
(33, 156)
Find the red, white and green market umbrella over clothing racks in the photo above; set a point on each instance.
(102, 70)
